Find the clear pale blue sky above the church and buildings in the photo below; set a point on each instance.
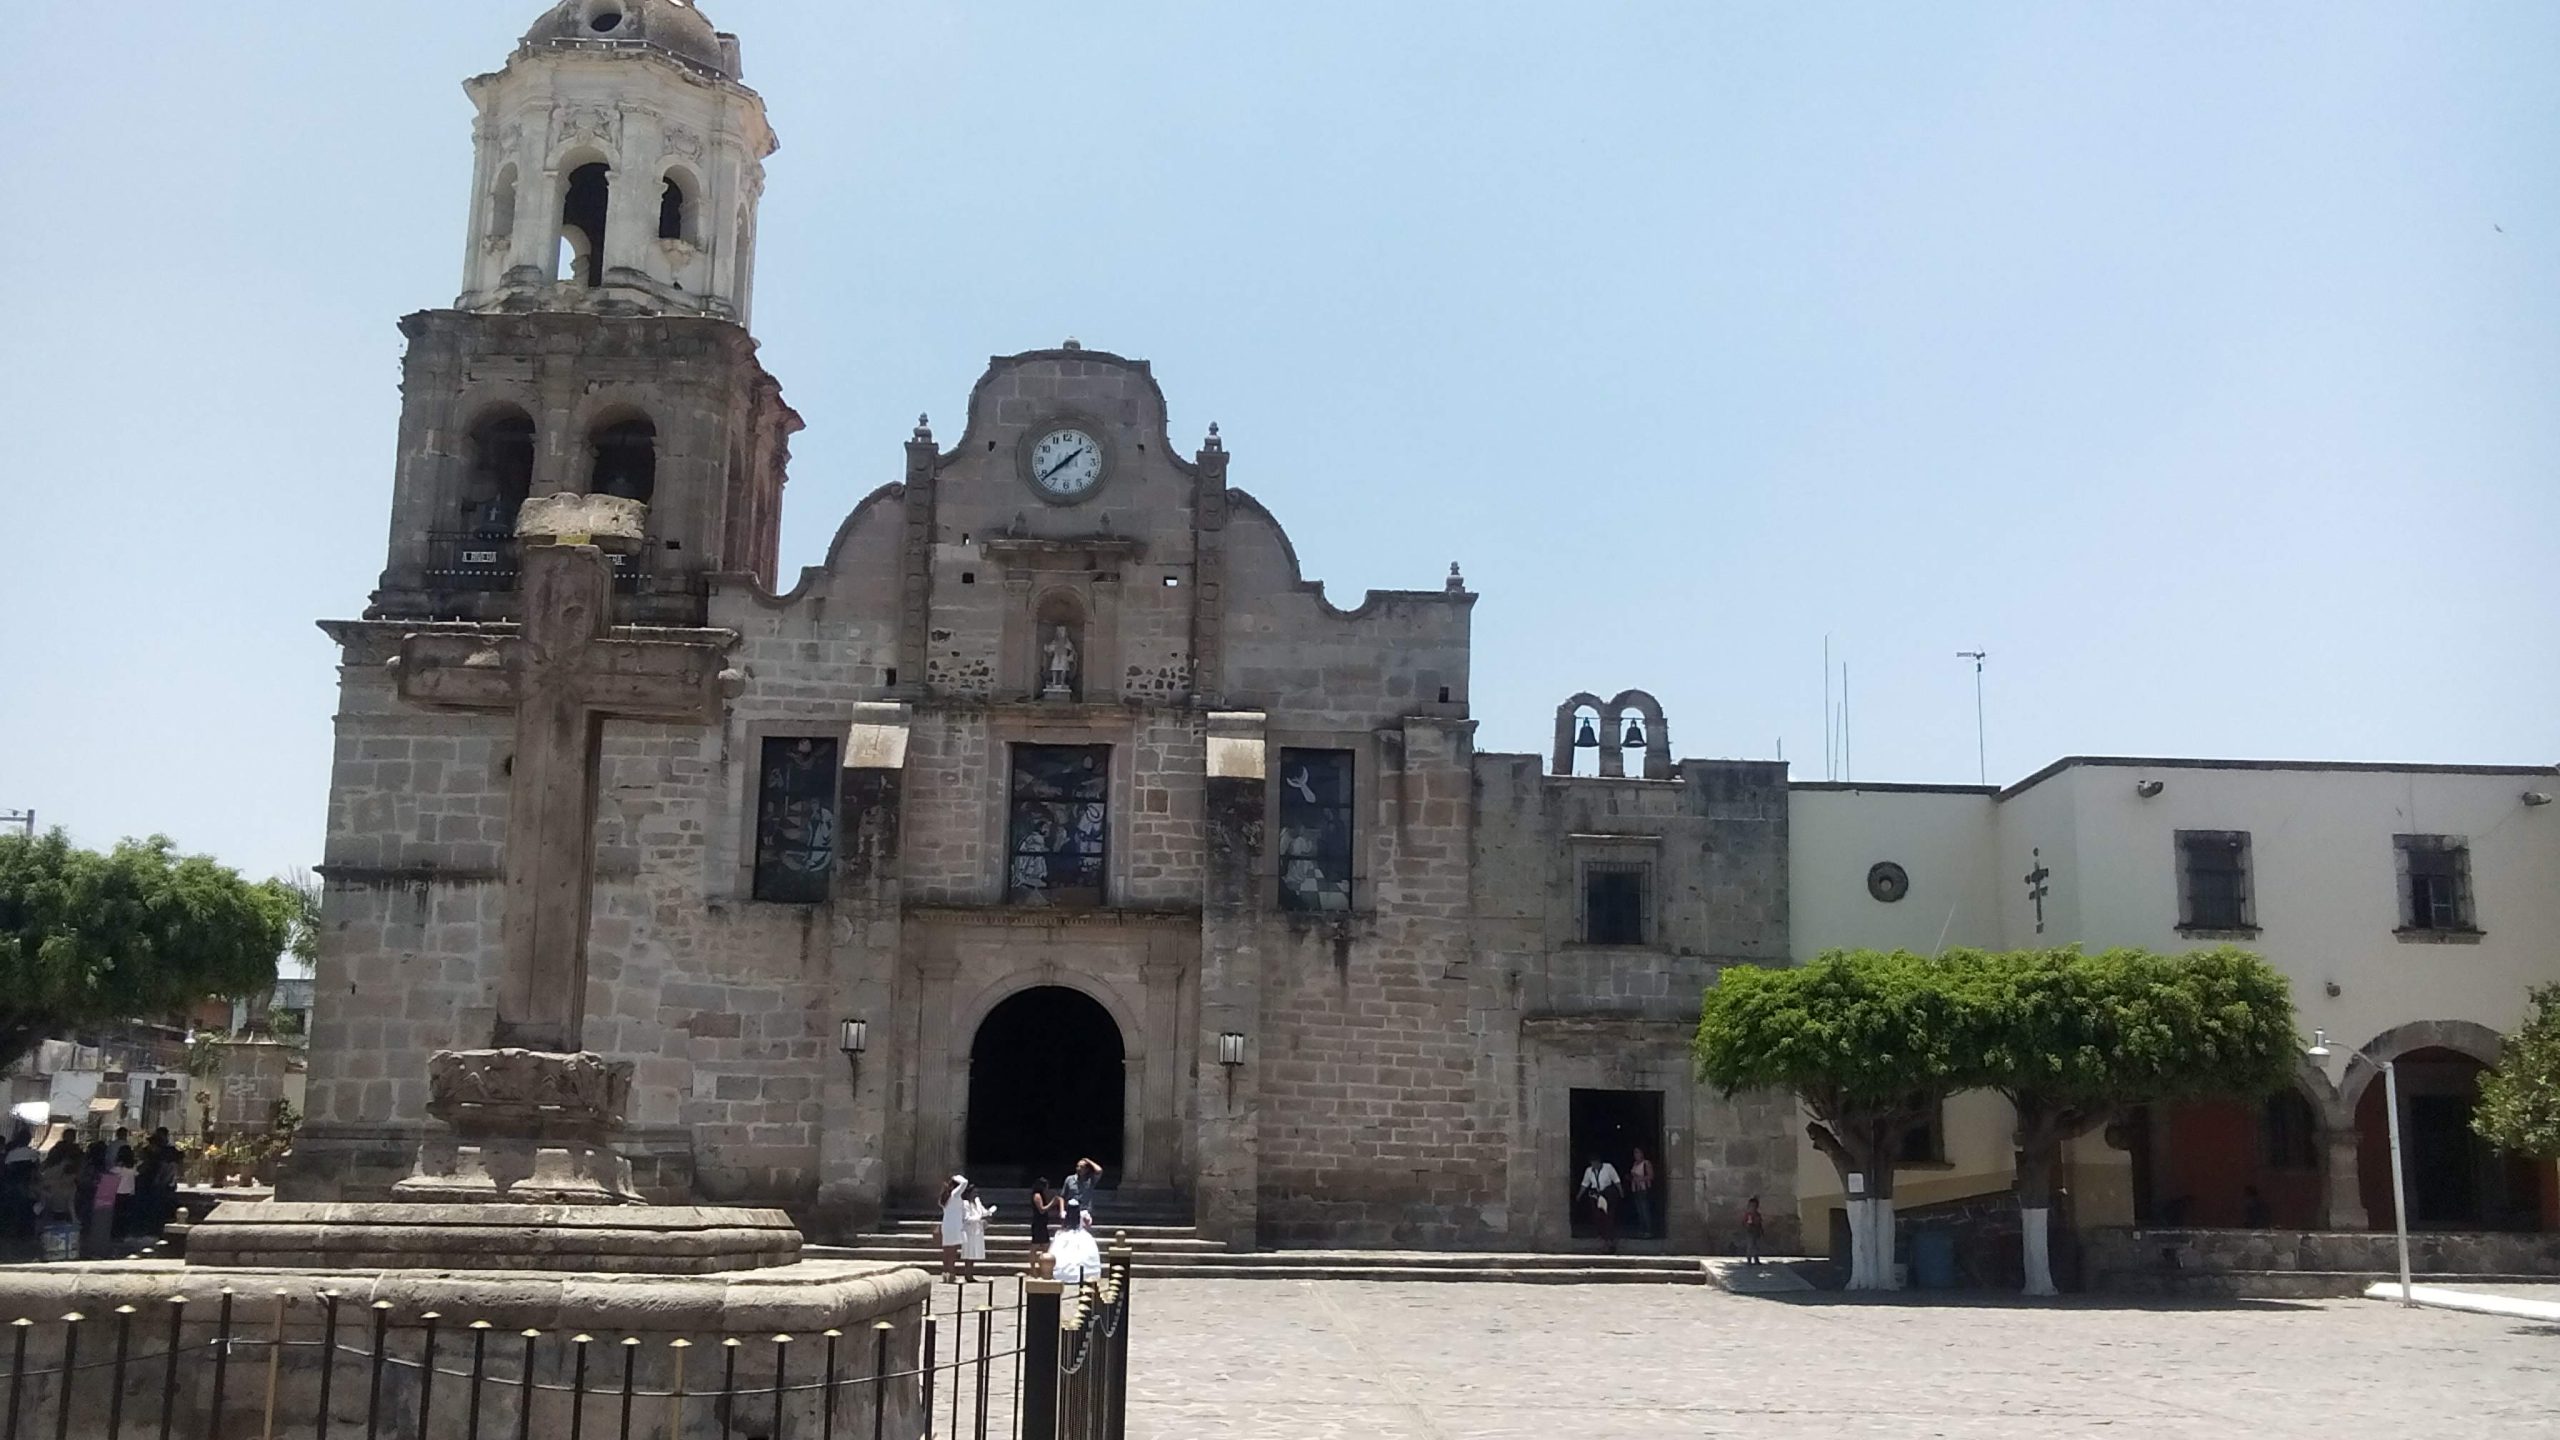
(2203, 363)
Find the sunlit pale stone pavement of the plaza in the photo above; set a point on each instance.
(1420, 1362)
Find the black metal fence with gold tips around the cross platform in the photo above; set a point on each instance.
(995, 1362)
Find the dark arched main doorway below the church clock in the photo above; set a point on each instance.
(1043, 1088)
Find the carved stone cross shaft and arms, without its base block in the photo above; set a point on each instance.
(562, 675)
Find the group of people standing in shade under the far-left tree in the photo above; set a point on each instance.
(88, 1200)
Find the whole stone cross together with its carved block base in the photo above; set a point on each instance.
(531, 1116)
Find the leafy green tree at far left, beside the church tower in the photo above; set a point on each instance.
(140, 931)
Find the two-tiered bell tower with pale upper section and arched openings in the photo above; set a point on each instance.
(600, 340)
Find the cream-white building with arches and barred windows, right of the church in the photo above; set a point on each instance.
(2410, 906)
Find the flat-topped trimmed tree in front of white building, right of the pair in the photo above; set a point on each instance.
(2075, 1042)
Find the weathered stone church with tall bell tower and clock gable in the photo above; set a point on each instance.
(1056, 780)
